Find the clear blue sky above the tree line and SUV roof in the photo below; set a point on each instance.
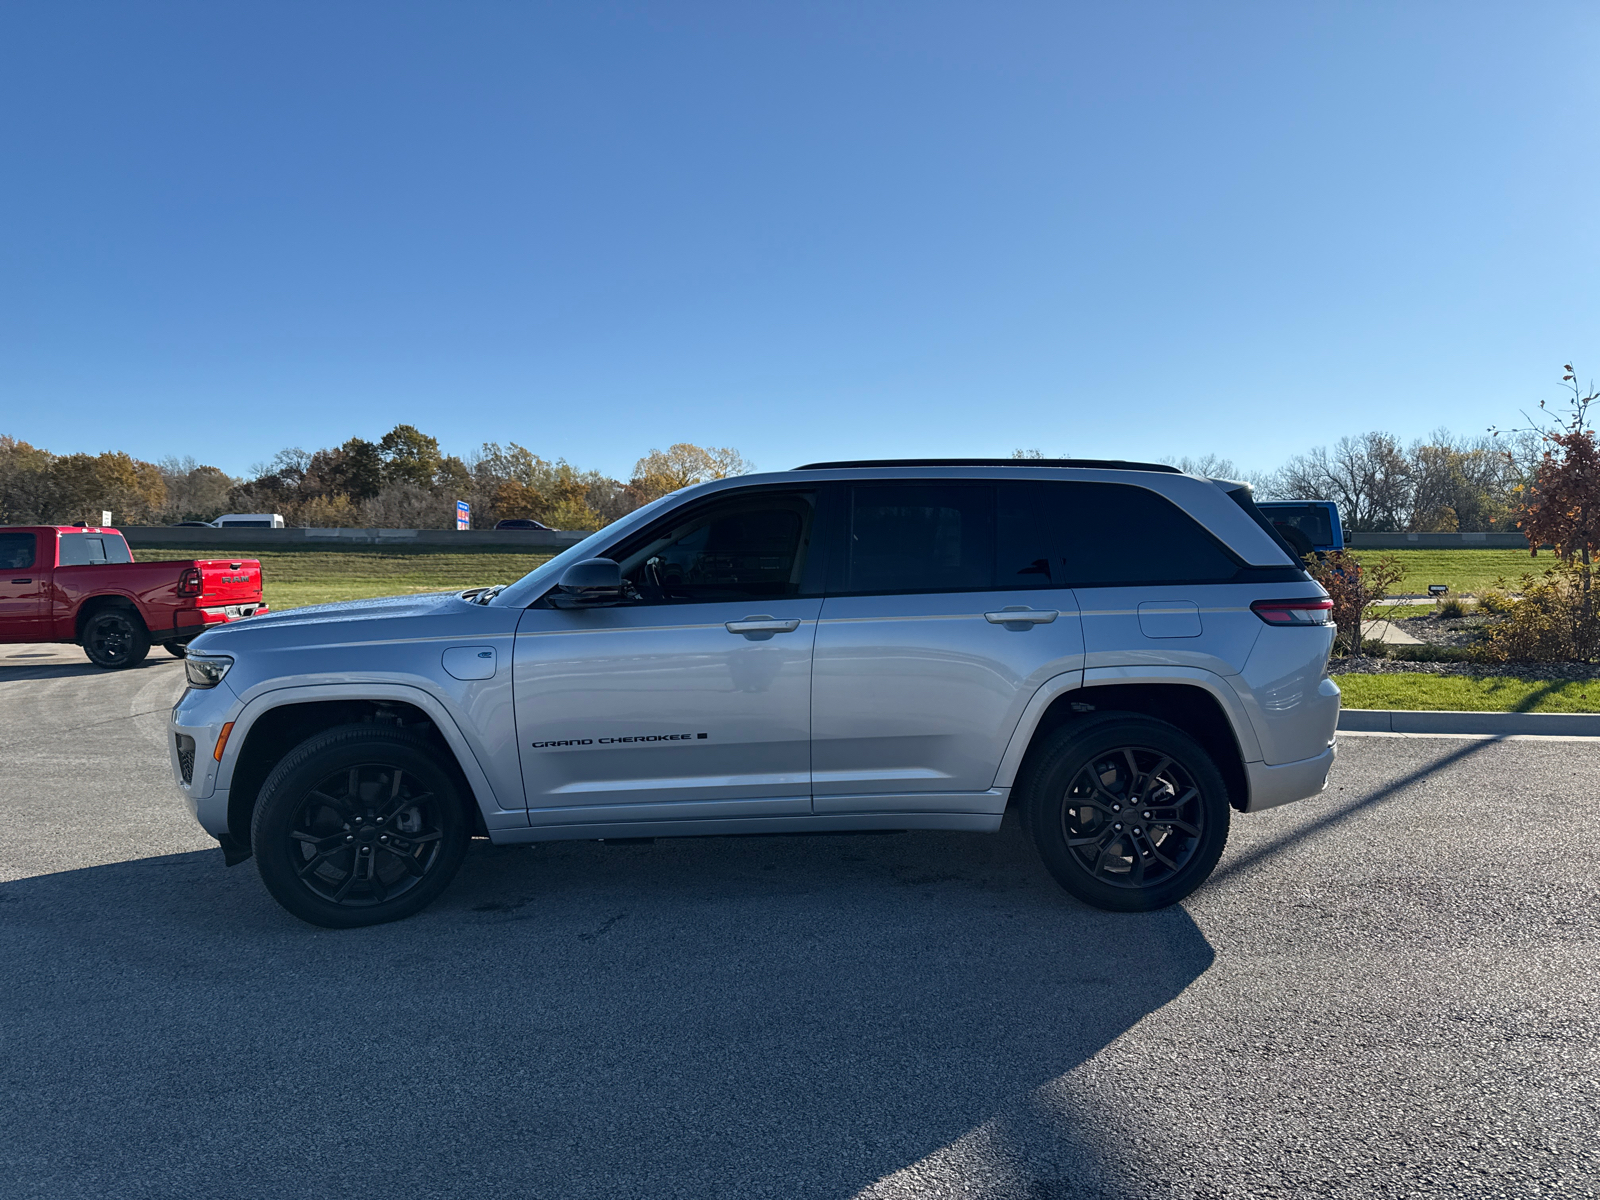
(806, 231)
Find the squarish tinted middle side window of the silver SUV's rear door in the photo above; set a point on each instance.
(919, 538)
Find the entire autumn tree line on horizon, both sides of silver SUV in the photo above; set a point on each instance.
(1441, 484)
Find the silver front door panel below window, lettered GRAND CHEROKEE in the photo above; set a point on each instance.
(644, 710)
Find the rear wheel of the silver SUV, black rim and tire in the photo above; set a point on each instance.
(1106, 852)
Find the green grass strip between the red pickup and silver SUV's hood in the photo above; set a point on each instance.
(297, 578)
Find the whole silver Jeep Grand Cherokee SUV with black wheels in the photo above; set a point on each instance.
(1122, 652)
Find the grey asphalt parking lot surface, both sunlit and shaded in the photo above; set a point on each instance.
(1393, 990)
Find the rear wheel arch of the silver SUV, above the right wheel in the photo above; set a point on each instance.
(1198, 706)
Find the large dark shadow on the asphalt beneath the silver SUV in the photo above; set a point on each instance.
(698, 1018)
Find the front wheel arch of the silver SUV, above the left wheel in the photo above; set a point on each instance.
(274, 724)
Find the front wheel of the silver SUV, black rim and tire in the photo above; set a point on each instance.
(340, 862)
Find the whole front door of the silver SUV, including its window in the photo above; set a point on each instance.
(689, 698)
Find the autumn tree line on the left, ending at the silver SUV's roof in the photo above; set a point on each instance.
(401, 481)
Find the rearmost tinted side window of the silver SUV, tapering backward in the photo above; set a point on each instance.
(1102, 535)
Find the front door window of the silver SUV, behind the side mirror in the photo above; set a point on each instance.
(750, 548)
